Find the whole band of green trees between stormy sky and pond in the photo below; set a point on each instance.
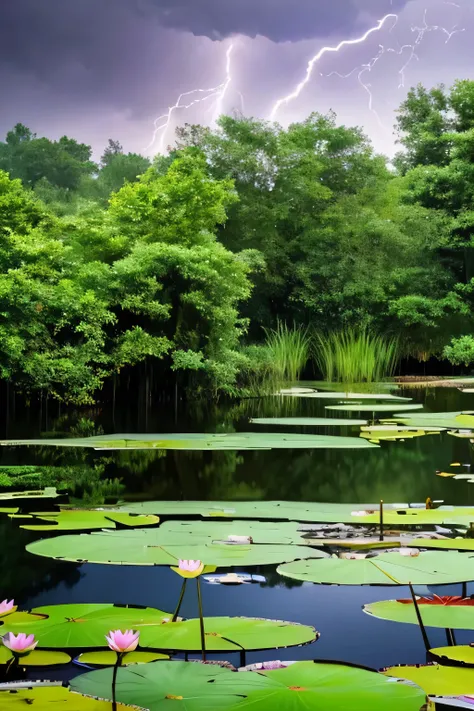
(175, 268)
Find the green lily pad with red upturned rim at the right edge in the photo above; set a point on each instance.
(448, 613)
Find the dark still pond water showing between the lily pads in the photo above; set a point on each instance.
(396, 472)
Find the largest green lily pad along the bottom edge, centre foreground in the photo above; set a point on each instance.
(305, 686)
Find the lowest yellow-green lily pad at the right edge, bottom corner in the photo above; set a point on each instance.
(437, 680)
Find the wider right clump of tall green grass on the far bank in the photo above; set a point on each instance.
(356, 356)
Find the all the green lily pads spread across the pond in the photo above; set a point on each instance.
(141, 649)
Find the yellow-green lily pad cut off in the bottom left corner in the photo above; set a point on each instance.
(45, 698)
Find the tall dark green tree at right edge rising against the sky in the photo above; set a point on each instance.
(436, 128)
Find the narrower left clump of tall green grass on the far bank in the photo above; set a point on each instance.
(290, 350)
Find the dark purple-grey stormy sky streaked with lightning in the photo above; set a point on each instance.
(99, 69)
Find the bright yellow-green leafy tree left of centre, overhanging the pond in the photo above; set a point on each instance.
(177, 288)
